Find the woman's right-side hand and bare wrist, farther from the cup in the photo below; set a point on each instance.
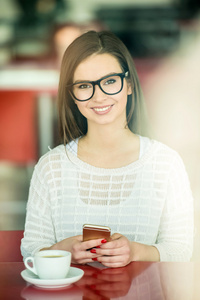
(120, 252)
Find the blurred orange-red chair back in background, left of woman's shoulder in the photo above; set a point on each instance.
(18, 134)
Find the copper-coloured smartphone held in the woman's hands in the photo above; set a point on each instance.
(93, 232)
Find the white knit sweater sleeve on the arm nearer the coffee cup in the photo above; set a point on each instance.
(39, 229)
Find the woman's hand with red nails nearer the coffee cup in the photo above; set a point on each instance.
(78, 248)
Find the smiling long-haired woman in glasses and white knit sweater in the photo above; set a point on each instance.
(105, 171)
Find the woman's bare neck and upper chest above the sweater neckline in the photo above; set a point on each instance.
(110, 148)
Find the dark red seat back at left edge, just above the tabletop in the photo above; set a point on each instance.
(10, 242)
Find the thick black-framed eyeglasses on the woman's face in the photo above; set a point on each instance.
(110, 85)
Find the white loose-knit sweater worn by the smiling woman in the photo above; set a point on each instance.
(149, 201)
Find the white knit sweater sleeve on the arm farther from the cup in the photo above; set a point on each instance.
(175, 236)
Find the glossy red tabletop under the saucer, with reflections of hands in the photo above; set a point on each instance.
(138, 281)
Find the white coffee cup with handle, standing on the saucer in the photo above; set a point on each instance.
(49, 264)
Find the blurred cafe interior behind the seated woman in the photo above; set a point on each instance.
(163, 37)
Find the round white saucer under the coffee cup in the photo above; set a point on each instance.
(74, 275)
